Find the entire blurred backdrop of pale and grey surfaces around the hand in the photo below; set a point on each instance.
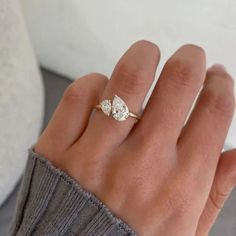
(45, 45)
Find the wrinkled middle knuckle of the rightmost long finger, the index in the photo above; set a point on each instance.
(217, 102)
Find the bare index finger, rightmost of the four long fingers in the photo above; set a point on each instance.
(202, 139)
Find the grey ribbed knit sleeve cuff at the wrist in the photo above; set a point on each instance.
(51, 203)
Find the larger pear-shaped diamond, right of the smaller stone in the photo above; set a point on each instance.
(120, 111)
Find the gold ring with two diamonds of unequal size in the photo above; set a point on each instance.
(117, 108)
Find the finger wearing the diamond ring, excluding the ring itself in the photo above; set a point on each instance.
(131, 80)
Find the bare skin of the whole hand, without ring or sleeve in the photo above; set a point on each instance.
(162, 175)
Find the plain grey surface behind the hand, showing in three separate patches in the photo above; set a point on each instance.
(54, 87)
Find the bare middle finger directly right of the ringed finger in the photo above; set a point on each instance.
(172, 98)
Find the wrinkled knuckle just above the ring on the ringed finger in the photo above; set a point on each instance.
(131, 78)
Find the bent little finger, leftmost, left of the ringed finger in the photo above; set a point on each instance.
(71, 115)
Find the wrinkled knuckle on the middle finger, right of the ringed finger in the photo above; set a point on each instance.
(181, 71)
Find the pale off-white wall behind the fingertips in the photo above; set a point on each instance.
(75, 37)
